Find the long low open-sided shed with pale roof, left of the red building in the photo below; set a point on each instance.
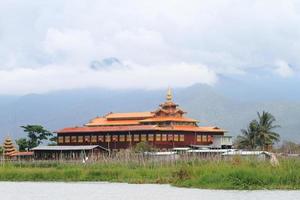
(68, 152)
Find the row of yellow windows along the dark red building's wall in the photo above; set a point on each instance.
(130, 138)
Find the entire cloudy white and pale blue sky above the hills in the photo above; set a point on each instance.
(70, 44)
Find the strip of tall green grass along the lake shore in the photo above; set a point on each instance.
(212, 174)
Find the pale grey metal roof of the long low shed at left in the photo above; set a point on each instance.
(65, 148)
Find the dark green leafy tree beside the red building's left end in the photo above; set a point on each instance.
(36, 135)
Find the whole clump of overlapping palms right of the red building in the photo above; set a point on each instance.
(260, 133)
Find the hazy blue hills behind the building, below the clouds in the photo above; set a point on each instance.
(70, 108)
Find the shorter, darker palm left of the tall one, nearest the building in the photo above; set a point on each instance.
(248, 138)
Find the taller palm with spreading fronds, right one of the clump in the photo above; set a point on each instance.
(266, 135)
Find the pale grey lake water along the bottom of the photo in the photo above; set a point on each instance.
(122, 191)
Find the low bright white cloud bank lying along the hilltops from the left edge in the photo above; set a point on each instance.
(50, 78)
